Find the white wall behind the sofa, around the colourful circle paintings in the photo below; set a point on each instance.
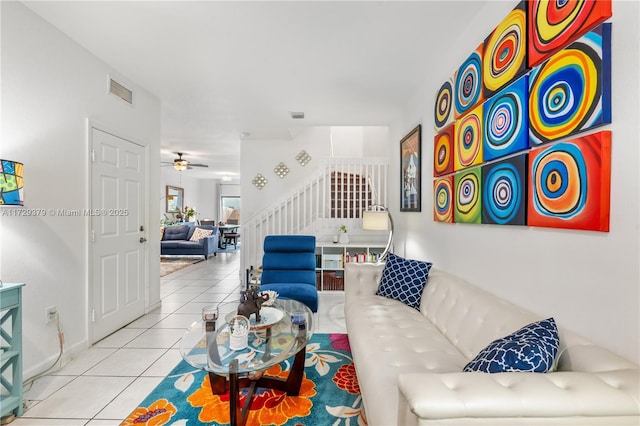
(588, 281)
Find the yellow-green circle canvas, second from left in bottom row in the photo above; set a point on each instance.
(468, 196)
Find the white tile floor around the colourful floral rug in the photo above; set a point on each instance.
(105, 383)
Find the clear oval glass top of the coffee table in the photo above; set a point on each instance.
(271, 341)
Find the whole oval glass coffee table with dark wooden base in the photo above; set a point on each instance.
(284, 330)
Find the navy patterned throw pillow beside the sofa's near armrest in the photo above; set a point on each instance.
(532, 348)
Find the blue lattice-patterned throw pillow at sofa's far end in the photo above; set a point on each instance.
(404, 279)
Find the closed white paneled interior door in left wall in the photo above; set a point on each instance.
(117, 228)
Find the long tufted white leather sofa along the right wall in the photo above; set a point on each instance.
(409, 363)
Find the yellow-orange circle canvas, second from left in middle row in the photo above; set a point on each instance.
(467, 147)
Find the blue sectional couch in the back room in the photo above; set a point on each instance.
(176, 240)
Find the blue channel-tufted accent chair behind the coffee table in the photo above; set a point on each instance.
(289, 268)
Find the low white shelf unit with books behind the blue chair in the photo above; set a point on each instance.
(331, 257)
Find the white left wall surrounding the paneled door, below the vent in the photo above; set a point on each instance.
(50, 86)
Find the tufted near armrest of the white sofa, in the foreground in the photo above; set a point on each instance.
(432, 396)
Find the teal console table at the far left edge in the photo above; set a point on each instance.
(11, 349)
